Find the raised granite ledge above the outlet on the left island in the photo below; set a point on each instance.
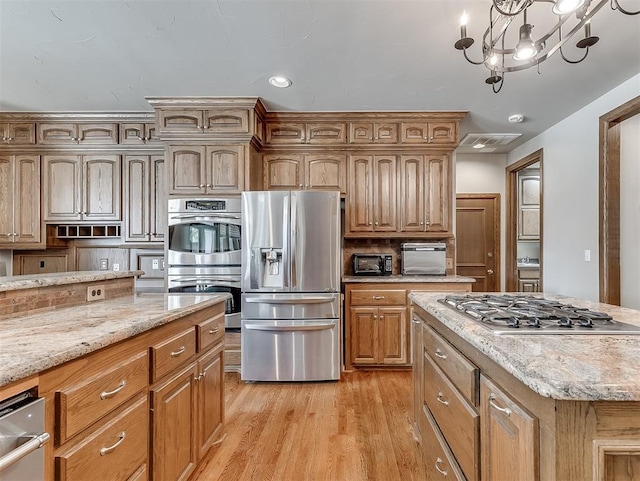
(14, 283)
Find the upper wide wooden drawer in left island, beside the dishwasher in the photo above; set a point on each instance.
(83, 403)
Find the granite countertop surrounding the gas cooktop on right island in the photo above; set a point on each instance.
(578, 367)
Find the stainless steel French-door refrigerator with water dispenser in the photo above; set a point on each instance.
(291, 266)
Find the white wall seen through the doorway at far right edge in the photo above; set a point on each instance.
(630, 212)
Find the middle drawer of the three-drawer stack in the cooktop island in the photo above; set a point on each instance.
(458, 421)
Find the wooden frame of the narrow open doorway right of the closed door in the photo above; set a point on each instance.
(511, 230)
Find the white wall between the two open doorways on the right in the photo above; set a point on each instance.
(570, 189)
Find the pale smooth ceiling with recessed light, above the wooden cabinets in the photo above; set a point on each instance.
(342, 55)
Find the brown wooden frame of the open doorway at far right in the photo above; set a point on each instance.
(609, 191)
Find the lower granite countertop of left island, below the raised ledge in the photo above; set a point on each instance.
(35, 342)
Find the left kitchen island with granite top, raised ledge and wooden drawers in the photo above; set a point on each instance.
(133, 384)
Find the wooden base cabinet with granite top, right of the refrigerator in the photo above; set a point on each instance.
(377, 322)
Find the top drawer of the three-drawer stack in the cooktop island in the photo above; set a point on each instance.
(462, 373)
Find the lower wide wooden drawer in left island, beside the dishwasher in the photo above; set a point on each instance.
(115, 451)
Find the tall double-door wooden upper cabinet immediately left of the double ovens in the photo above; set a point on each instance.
(144, 198)
